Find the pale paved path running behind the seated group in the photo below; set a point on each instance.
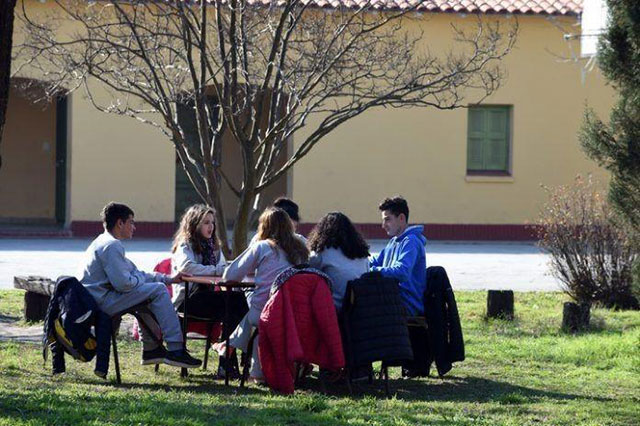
(471, 266)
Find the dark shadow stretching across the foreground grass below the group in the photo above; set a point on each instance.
(78, 399)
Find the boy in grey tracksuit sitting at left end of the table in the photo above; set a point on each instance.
(116, 284)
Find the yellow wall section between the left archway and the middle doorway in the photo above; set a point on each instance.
(116, 158)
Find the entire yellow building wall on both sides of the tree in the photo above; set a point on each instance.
(418, 153)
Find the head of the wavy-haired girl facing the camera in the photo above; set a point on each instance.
(197, 226)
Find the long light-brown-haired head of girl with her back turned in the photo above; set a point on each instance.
(276, 227)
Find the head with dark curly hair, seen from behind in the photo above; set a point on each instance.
(335, 230)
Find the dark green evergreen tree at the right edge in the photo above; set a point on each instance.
(616, 145)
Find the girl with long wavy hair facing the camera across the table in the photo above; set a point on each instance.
(196, 252)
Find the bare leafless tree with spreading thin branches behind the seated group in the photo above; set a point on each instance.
(258, 71)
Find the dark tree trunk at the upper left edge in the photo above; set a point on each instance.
(6, 41)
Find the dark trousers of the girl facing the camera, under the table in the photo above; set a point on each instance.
(210, 305)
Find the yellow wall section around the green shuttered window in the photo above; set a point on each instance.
(422, 153)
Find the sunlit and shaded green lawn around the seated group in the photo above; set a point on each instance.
(516, 373)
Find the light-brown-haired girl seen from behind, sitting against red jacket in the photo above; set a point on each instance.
(276, 249)
